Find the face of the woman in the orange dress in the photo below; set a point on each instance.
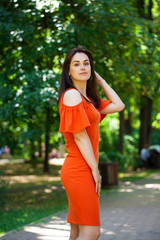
(80, 68)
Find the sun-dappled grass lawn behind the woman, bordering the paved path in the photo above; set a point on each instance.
(33, 195)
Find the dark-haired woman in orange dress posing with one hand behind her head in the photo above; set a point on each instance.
(81, 110)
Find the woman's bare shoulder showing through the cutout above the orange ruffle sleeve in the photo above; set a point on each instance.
(72, 97)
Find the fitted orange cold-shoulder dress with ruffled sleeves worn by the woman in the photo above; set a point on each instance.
(76, 176)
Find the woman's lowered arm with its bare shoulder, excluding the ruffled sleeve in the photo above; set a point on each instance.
(72, 98)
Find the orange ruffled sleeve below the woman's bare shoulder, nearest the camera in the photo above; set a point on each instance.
(73, 118)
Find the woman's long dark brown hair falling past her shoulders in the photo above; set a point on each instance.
(66, 83)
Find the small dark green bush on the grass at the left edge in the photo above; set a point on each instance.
(3, 191)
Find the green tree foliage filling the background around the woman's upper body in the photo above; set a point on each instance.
(126, 53)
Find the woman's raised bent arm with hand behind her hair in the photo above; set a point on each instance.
(117, 105)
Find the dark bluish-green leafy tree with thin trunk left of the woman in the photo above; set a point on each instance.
(28, 80)
